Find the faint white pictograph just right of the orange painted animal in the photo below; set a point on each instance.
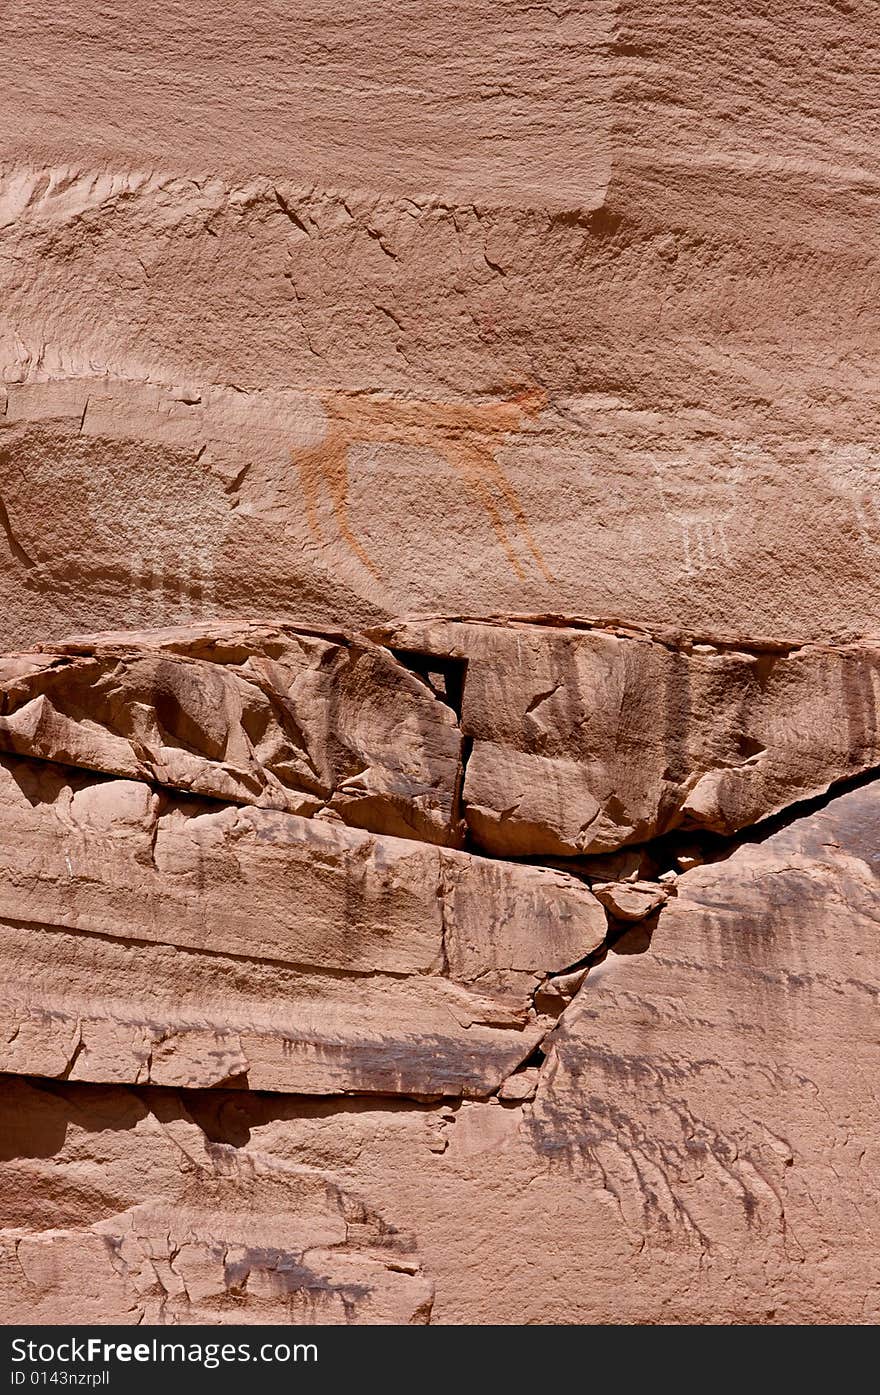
(702, 499)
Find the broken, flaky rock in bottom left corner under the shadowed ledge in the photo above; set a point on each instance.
(221, 1238)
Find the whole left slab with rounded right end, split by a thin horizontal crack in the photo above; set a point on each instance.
(150, 940)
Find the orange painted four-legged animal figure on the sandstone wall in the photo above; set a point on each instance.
(466, 436)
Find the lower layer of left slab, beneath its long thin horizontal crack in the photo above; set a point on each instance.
(100, 1009)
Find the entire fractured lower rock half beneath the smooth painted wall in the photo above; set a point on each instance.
(260, 1058)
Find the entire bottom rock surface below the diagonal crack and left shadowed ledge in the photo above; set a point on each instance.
(704, 1146)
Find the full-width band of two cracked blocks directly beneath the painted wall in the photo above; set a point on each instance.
(579, 741)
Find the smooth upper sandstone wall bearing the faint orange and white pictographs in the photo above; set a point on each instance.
(313, 317)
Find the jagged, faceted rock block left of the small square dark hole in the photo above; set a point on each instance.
(268, 718)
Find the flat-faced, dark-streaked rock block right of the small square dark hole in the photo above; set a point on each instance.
(586, 740)
